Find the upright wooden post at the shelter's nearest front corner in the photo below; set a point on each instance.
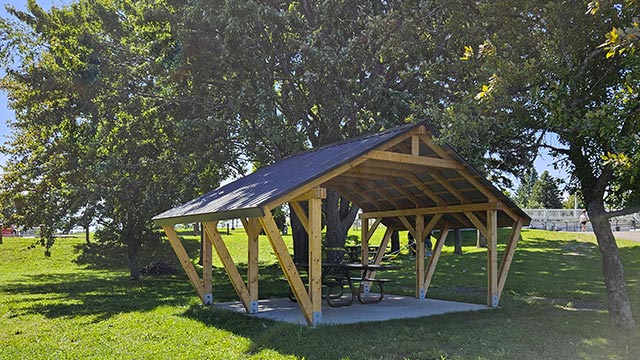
(315, 258)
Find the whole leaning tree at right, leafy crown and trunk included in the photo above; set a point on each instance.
(547, 62)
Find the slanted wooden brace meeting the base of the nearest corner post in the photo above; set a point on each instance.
(288, 266)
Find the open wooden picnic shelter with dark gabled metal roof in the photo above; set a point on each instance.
(401, 178)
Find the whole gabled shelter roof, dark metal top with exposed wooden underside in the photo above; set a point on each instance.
(377, 172)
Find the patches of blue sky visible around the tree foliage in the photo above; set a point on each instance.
(542, 163)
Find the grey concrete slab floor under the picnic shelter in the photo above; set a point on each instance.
(392, 307)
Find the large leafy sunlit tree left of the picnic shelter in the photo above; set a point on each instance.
(97, 132)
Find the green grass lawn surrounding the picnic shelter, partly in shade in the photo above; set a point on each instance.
(79, 303)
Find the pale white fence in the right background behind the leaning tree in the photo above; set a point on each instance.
(567, 220)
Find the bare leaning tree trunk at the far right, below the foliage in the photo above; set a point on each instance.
(619, 306)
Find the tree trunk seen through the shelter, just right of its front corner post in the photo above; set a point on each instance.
(339, 216)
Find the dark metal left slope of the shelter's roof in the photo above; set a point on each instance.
(247, 195)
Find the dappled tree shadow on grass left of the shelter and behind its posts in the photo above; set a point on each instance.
(103, 294)
